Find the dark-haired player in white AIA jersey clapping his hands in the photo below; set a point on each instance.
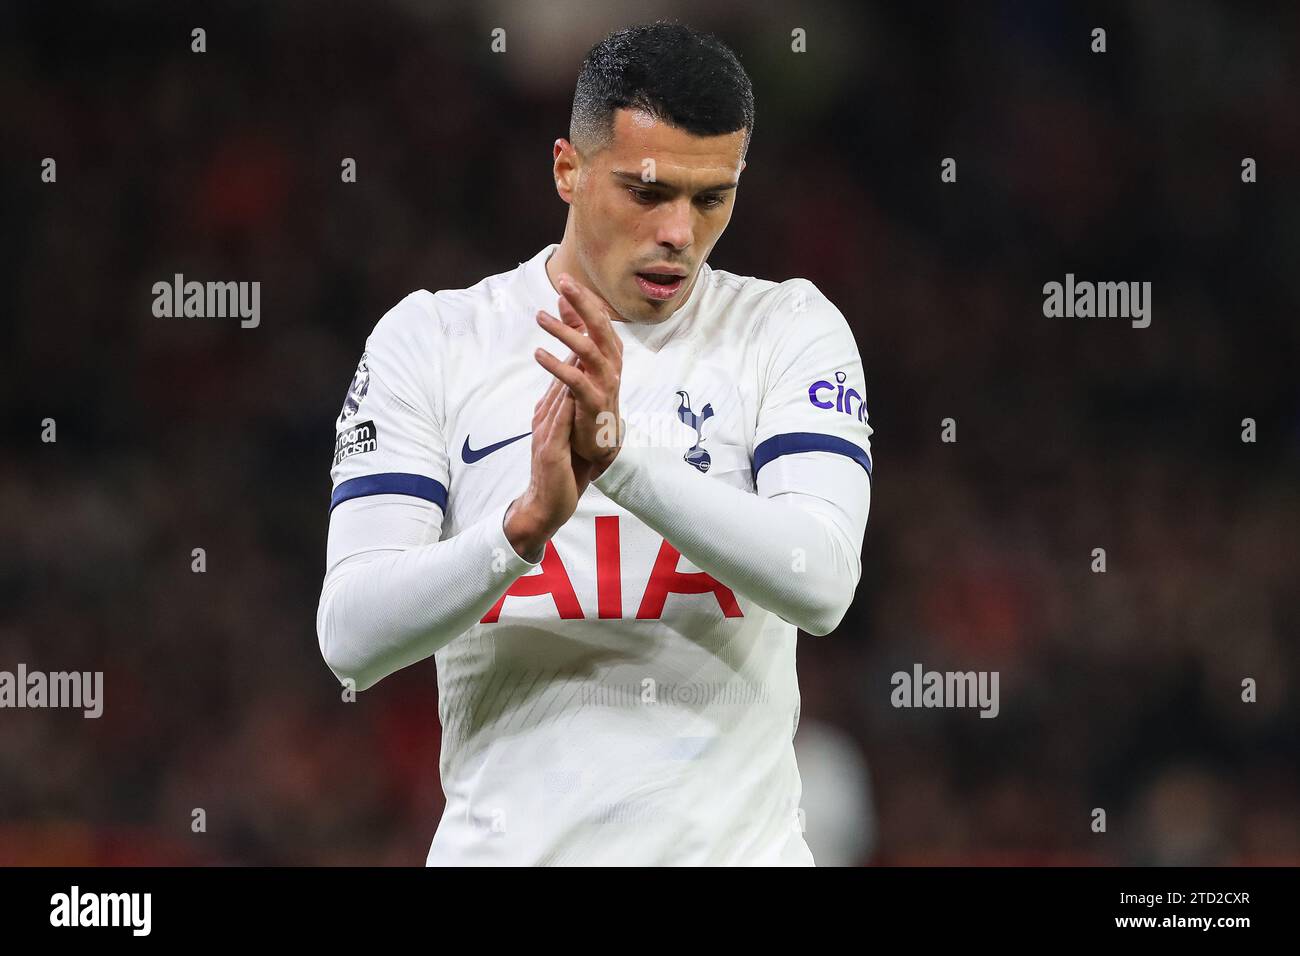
(609, 555)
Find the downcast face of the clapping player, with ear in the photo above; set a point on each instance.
(653, 202)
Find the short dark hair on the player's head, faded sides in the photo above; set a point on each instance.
(682, 77)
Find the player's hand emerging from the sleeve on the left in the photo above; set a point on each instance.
(558, 477)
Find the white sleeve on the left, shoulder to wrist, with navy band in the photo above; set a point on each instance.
(395, 592)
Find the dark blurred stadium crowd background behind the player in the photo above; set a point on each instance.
(1119, 690)
